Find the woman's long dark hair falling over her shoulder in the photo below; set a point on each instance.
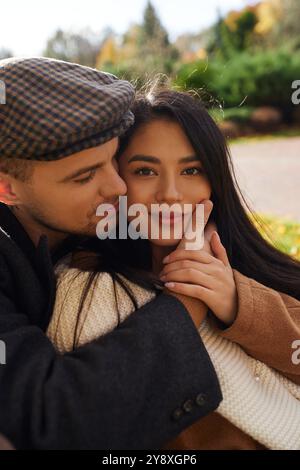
(247, 250)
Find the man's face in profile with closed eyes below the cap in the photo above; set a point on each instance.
(62, 196)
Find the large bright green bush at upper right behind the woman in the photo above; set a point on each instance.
(261, 79)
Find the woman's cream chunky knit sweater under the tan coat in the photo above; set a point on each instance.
(256, 398)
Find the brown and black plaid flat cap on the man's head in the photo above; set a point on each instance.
(53, 108)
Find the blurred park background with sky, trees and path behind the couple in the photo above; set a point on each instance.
(240, 56)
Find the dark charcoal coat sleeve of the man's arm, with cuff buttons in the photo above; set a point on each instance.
(122, 391)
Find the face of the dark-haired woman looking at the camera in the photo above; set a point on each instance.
(160, 166)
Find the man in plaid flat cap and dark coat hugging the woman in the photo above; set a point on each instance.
(145, 382)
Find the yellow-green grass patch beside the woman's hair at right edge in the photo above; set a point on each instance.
(284, 234)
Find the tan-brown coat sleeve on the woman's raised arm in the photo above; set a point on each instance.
(267, 326)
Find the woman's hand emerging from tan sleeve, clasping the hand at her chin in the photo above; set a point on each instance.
(198, 274)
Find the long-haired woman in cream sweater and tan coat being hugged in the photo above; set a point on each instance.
(175, 153)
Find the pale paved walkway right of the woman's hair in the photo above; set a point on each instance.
(268, 173)
